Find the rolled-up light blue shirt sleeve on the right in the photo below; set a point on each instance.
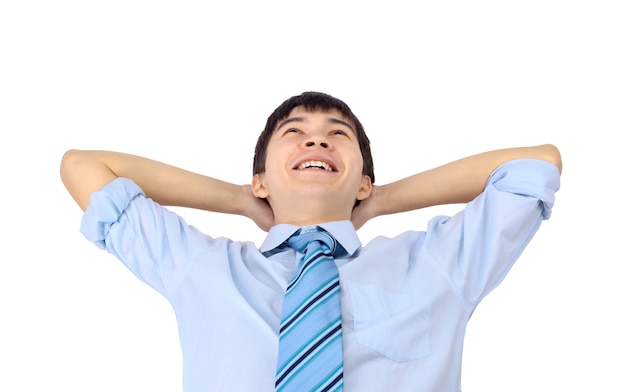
(478, 246)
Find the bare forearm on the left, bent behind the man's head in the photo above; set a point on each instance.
(86, 171)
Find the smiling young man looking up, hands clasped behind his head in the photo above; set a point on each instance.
(404, 301)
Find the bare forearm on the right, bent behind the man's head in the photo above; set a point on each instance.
(456, 182)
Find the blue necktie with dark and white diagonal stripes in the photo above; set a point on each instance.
(310, 356)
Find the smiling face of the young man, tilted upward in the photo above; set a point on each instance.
(313, 154)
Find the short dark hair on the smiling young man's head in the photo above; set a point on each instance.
(312, 101)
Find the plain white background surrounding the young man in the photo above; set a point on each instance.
(191, 84)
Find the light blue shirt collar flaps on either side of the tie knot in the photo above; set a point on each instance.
(343, 231)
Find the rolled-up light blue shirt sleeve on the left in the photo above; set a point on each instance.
(153, 242)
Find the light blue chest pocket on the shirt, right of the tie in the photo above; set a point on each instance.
(394, 325)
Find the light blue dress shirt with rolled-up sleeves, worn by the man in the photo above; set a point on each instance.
(405, 300)
